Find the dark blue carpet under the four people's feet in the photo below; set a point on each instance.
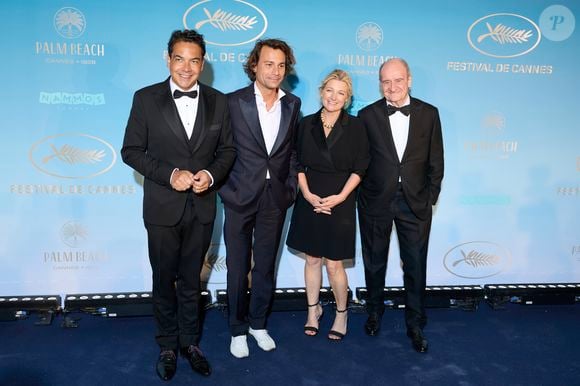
(520, 345)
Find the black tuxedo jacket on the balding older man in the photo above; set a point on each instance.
(421, 167)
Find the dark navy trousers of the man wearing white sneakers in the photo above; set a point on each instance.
(252, 236)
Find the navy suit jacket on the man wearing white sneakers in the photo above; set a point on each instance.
(245, 184)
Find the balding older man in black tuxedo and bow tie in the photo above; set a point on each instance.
(401, 185)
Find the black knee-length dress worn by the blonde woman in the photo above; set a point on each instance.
(327, 163)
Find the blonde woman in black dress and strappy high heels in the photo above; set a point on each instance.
(333, 153)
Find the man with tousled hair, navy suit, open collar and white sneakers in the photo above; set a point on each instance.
(259, 190)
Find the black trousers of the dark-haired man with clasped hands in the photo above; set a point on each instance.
(177, 254)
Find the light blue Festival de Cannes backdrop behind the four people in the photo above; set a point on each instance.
(504, 75)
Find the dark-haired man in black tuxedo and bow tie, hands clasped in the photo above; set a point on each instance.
(178, 137)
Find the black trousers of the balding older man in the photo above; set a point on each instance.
(413, 236)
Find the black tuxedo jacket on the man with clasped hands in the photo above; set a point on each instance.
(155, 144)
